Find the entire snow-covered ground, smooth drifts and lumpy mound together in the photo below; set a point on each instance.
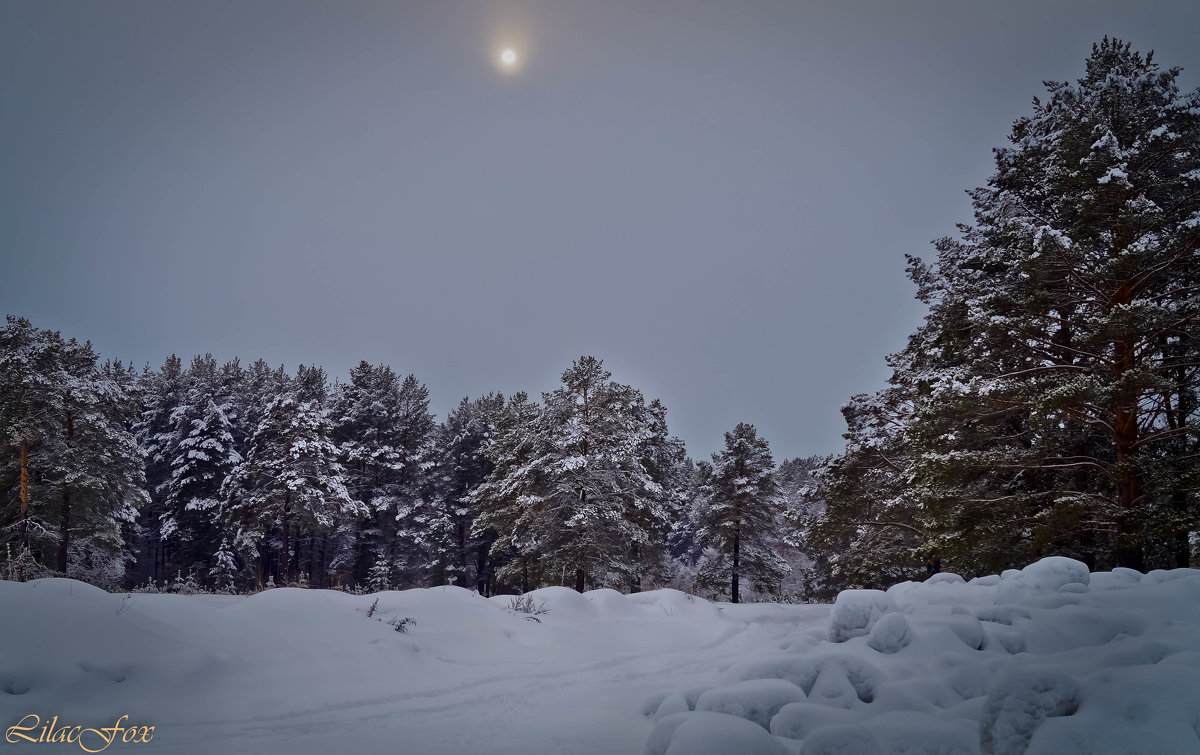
(1049, 660)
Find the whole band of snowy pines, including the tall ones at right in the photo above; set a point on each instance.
(1047, 405)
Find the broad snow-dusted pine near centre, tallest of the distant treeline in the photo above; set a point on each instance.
(572, 492)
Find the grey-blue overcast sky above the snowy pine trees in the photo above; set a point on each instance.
(716, 199)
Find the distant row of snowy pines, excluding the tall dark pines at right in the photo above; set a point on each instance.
(220, 477)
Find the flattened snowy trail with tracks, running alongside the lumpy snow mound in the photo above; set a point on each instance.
(509, 704)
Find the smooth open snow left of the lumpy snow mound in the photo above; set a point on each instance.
(308, 672)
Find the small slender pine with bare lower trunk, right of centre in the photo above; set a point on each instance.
(740, 514)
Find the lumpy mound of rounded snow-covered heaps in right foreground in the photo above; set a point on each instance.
(1045, 661)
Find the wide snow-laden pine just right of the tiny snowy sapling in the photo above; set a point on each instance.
(291, 482)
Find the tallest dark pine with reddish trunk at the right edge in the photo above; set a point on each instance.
(1076, 295)
